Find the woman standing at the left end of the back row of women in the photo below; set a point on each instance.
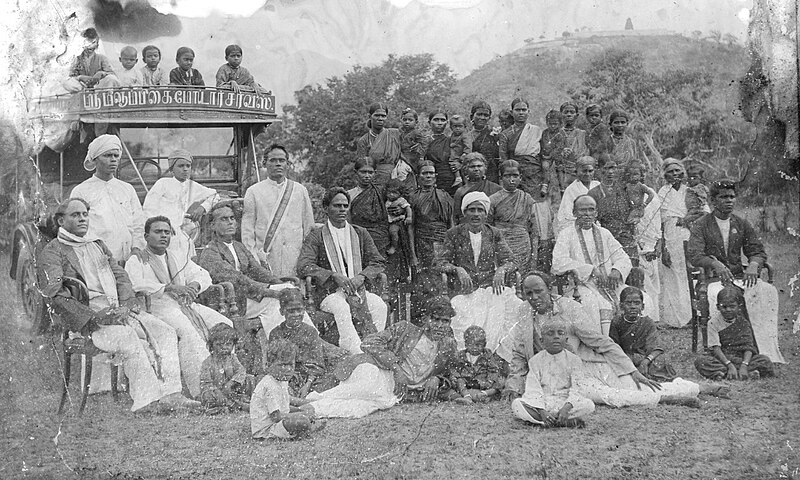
(381, 144)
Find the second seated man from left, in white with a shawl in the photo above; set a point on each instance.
(172, 292)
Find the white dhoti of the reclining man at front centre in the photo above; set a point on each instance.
(367, 390)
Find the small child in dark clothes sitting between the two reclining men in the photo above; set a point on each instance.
(477, 374)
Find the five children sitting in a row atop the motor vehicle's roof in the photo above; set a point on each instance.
(94, 70)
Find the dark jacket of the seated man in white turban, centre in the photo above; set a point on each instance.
(457, 252)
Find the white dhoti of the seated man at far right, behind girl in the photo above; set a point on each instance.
(761, 301)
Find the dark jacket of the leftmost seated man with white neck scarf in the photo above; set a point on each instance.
(58, 261)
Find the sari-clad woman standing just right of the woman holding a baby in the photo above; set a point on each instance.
(433, 214)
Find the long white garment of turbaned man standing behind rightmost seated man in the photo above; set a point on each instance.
(674, 303)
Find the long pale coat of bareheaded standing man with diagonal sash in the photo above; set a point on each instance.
(260, 204)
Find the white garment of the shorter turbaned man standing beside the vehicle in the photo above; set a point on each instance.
(172, 198)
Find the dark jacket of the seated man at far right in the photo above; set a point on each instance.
(706, 245)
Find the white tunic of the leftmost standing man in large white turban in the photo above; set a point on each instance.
(115, 214)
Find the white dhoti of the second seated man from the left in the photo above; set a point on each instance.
(192, 348)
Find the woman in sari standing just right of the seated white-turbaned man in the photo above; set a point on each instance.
(512, 212)
